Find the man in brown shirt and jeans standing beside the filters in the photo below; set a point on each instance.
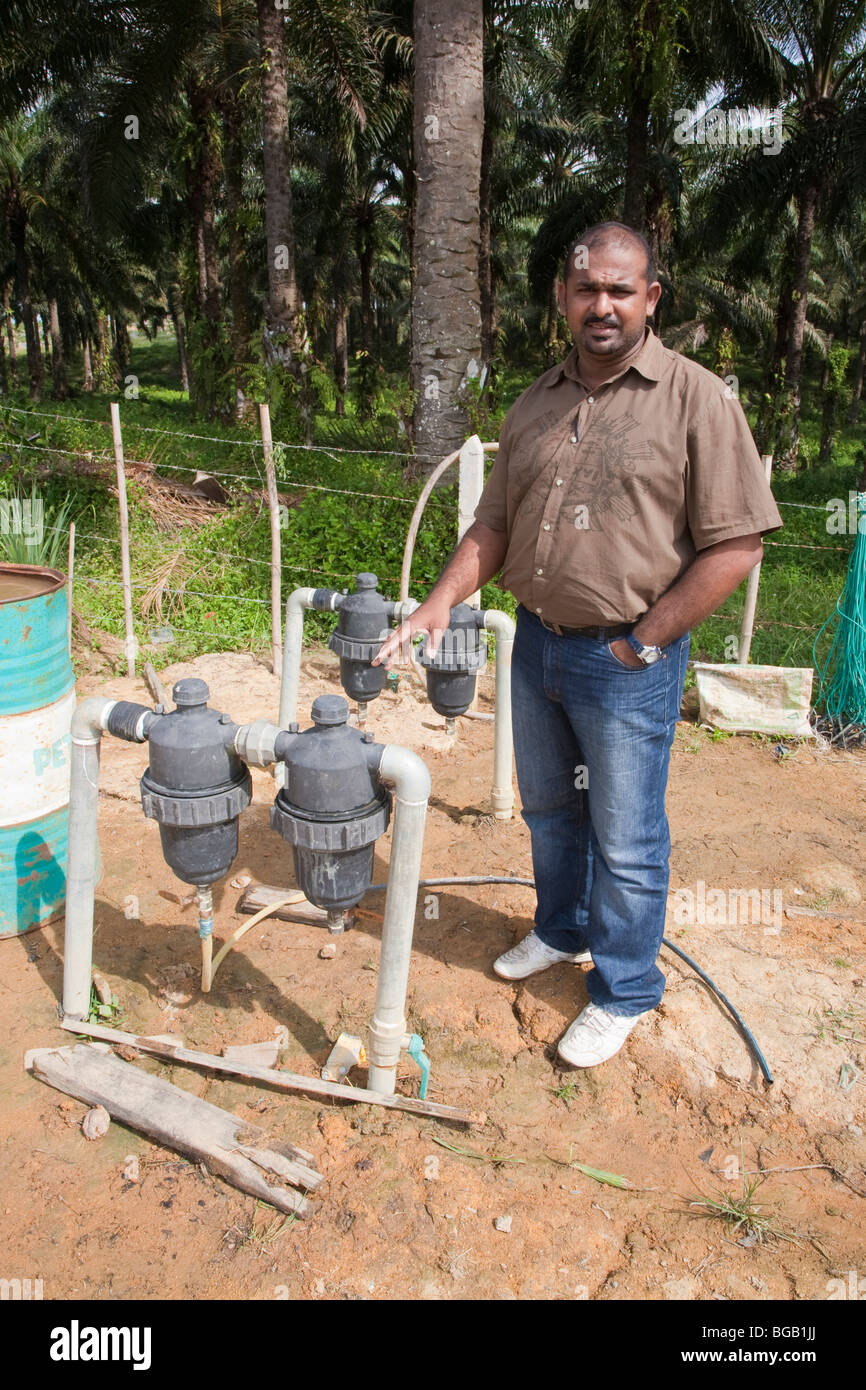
(626, 502)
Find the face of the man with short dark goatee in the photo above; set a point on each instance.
(607, 301)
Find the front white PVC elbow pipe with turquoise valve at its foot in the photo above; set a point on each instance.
(387, 1032)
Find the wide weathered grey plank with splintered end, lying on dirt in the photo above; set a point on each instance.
(176, 1120)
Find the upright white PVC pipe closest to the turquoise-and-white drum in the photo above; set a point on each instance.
(88, 723)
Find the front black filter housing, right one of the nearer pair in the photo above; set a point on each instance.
(333, 808)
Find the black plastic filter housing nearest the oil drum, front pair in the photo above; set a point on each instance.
(195, 786)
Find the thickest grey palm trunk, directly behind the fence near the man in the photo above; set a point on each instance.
(447, 312)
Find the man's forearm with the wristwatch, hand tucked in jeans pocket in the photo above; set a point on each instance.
(711, 578)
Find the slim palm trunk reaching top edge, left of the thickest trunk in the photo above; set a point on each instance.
(281, 306)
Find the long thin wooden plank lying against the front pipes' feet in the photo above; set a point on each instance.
(283, 1081)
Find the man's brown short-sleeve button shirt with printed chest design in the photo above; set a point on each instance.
(603, 526)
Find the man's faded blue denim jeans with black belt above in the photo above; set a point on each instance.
(593, 749)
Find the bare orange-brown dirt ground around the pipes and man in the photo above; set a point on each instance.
(401, 1216)
